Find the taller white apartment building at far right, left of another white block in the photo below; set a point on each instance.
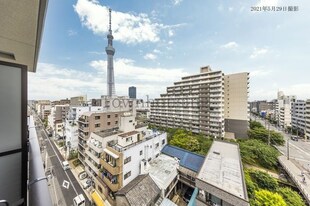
(283, 109)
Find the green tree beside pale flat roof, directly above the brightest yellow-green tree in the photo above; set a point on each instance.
(264, 180)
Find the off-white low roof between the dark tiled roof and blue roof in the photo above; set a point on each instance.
(163, 170)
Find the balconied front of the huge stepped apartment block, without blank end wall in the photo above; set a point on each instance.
(195, 103)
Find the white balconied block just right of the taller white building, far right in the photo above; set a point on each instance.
(298, 110)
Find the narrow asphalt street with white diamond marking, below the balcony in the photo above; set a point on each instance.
(65, 186)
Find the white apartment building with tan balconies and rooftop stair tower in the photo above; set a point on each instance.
(113, 157)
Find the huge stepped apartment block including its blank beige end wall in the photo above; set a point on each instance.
(197, 103)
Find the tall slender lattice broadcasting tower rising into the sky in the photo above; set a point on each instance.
(110, 53)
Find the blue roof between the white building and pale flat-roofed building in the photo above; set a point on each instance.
(187, 159)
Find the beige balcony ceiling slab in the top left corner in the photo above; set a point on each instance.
(21, 27)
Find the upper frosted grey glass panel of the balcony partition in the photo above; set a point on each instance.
(10, 108)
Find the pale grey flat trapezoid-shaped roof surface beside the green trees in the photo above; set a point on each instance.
(222, 168)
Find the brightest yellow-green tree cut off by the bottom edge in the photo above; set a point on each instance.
(267, 198)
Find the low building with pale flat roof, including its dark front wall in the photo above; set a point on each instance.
(221, 180)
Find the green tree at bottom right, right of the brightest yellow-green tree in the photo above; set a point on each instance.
(291, 197)
